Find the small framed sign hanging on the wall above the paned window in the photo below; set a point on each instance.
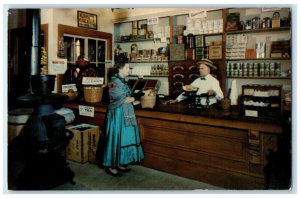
(87, 20)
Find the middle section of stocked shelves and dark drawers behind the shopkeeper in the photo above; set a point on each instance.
(196, 38)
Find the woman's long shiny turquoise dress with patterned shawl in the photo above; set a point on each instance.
(123, 144)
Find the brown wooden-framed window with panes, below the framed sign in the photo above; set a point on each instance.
(94, 45)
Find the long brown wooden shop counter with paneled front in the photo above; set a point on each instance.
(220, 148)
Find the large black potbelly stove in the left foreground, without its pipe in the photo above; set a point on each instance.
(42, 142)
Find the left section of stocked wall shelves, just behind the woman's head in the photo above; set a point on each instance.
(146, 46)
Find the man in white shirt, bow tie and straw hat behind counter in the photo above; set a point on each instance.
(206, 83)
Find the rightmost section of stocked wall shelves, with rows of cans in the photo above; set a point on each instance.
(258, 47)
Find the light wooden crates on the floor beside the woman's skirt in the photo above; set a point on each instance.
(83, 146)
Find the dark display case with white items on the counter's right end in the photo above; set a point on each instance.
(263, 101)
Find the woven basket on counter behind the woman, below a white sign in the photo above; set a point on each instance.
(92, 93)
